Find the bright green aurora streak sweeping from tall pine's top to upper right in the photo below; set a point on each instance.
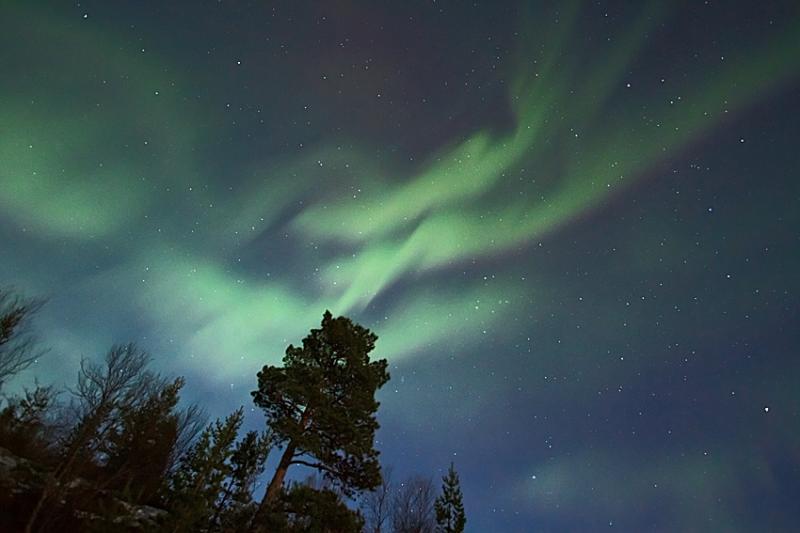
(440, 216)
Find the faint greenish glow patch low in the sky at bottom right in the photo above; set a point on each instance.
(693, 480)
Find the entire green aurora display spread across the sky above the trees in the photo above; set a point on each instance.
(455, 209)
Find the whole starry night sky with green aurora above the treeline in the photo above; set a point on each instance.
(573, 225)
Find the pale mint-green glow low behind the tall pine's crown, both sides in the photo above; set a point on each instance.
(236, 326)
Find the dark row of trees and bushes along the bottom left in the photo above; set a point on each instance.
(120, 451)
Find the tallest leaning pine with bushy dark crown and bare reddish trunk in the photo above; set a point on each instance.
(321, 405)
